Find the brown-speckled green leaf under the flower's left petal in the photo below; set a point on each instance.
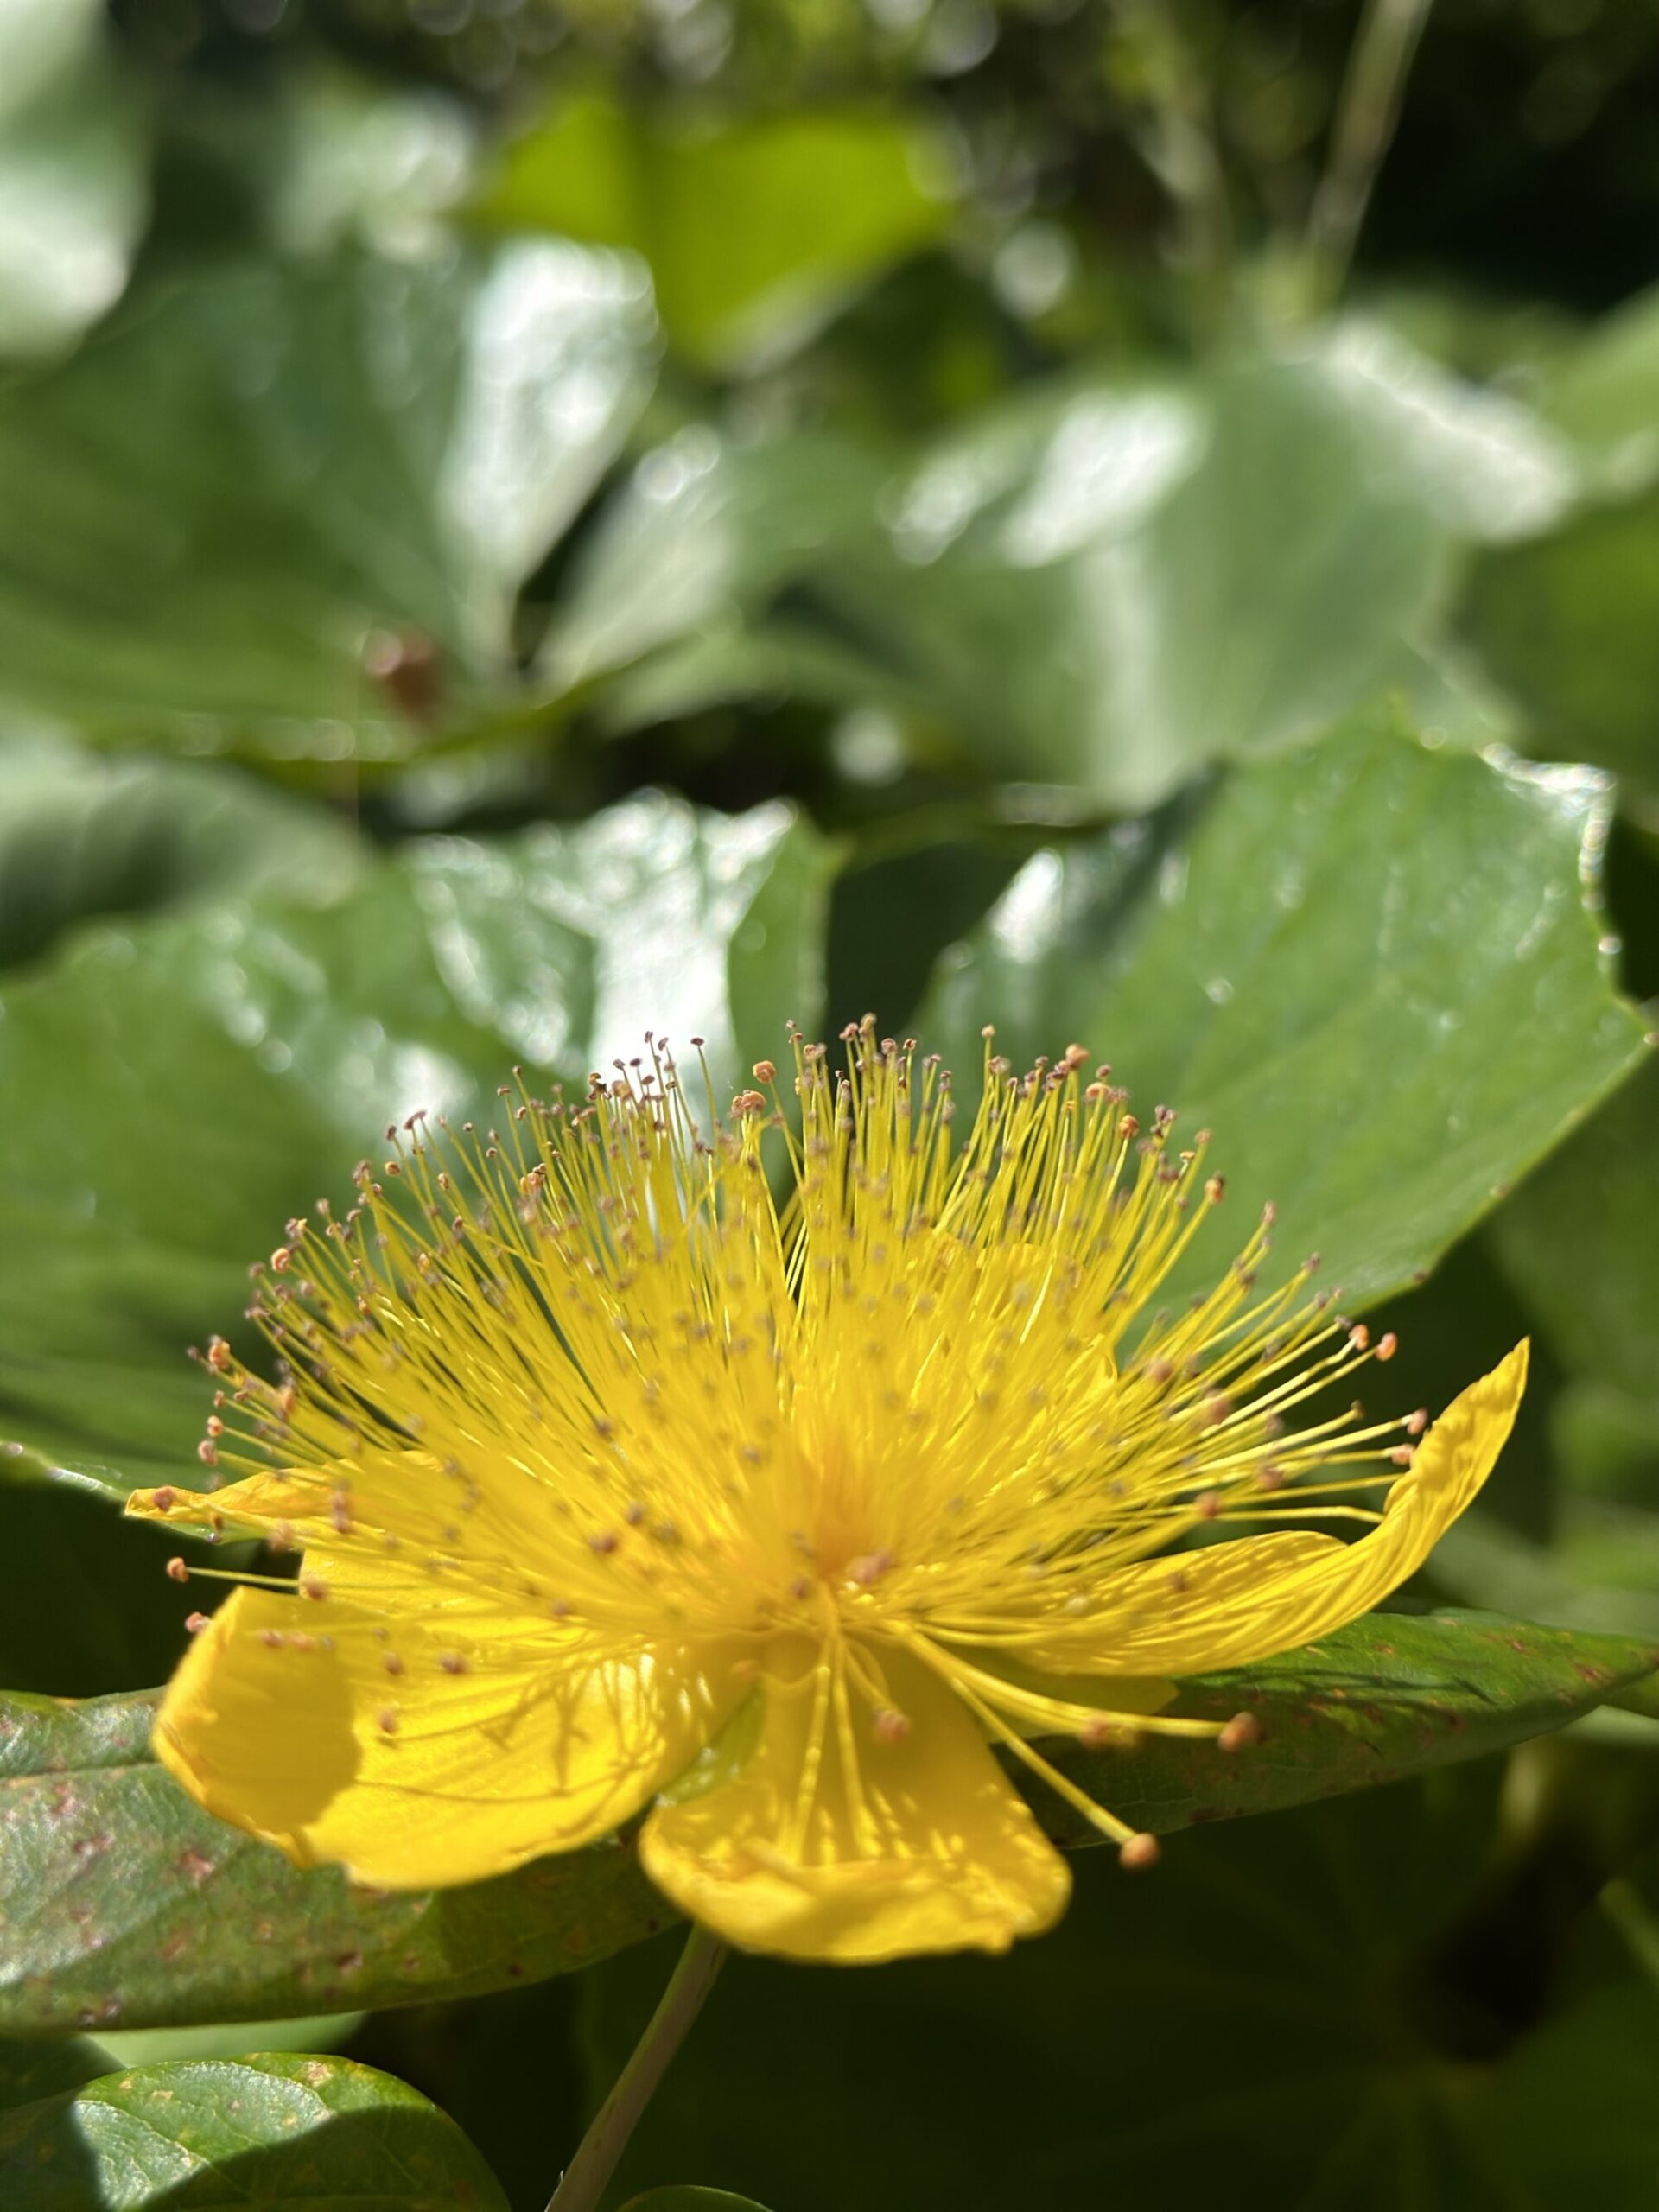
(127, 1908)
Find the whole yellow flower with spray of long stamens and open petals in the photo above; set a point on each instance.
(618, 1488)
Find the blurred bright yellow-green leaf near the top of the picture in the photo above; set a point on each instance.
(753, 231)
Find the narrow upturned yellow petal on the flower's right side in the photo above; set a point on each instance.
(1273, 1594)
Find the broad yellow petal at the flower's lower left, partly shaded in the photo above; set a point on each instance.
(426, 1751)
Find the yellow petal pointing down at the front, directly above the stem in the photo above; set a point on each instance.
(893, 1848)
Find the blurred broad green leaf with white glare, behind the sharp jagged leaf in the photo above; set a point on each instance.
(1098, 585)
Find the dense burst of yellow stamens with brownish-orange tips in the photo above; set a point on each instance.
(921, 1410)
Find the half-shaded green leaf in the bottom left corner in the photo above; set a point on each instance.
(264, 2131)
